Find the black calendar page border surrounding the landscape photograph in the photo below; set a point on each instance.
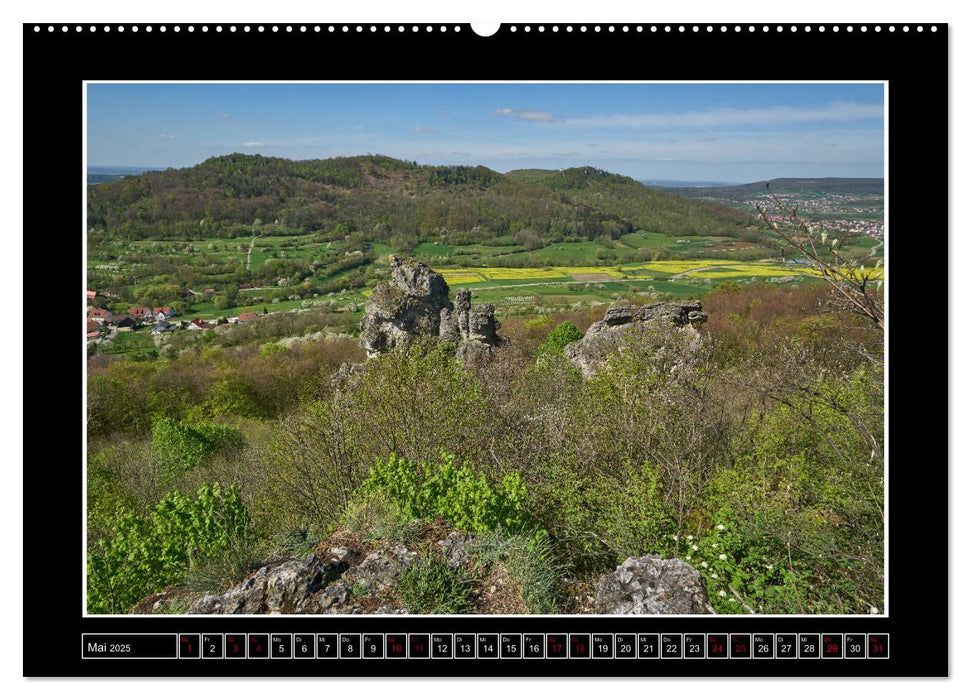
(914, 63)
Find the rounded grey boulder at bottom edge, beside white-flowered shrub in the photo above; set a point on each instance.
(650, 585)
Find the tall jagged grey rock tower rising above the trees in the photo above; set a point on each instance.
(414, 304)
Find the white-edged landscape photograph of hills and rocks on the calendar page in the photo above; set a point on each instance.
(484, 348)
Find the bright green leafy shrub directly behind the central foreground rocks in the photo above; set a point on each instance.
(455, 492)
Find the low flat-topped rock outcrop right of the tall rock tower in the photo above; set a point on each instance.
(626, 325)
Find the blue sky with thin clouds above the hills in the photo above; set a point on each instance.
(723, 132)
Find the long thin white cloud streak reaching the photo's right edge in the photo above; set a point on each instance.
(731, 117)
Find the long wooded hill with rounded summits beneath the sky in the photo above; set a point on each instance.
(382, 198)
